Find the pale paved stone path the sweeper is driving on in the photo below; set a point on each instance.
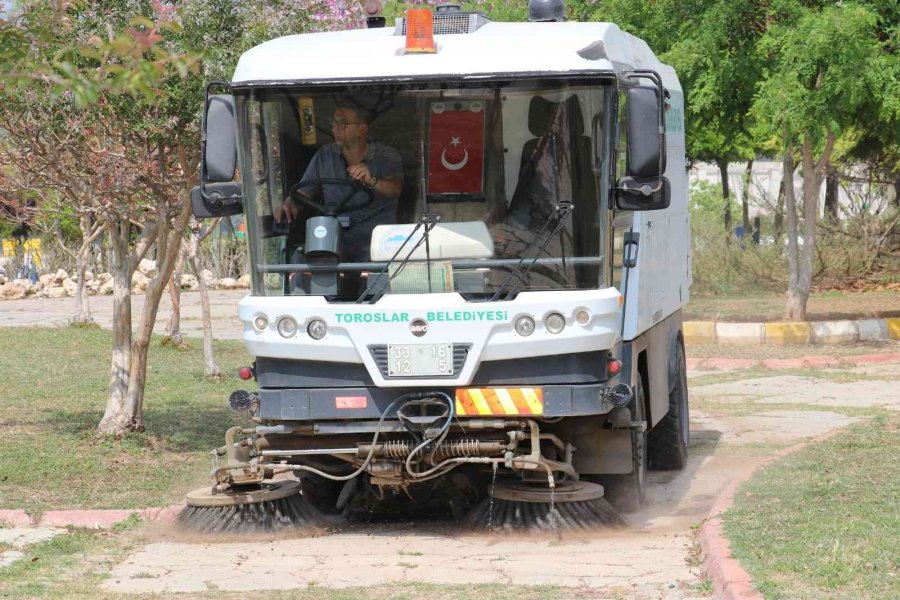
(655, 559)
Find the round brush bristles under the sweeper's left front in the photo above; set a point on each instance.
(257, 517)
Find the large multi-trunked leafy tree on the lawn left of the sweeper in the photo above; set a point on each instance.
(115, 78)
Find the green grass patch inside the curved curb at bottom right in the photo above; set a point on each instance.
(824, 523)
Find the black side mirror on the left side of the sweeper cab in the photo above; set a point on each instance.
(218, 195)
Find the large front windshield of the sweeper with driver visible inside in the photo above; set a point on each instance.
(486, 189)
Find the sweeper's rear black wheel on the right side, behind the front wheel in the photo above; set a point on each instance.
(669, 439)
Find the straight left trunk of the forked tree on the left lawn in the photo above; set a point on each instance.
(119, 416)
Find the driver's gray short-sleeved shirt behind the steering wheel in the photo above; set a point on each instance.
(383, 162)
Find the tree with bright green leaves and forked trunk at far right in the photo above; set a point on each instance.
(828, 67)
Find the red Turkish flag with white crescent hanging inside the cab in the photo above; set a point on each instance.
(456, 148)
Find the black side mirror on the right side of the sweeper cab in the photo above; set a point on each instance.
(645, 186)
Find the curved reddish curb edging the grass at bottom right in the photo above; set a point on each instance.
(729, 578)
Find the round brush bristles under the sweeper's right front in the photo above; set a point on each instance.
(508, 515)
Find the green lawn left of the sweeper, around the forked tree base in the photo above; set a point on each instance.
(55, 383)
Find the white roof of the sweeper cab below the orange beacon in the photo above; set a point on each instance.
(516, 49)
